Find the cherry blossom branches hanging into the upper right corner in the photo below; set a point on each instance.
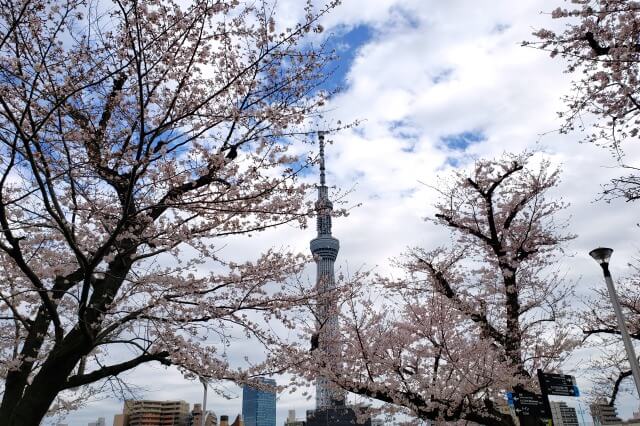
(600, 46)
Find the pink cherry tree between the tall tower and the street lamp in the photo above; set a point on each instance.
(471, 320)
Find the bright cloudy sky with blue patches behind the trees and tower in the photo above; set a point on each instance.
(438, 83)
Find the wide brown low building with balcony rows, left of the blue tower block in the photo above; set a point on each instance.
(155, 413)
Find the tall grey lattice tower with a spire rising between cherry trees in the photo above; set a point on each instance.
(325, 250)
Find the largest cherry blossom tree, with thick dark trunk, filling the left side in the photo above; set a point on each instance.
(134, 137)
